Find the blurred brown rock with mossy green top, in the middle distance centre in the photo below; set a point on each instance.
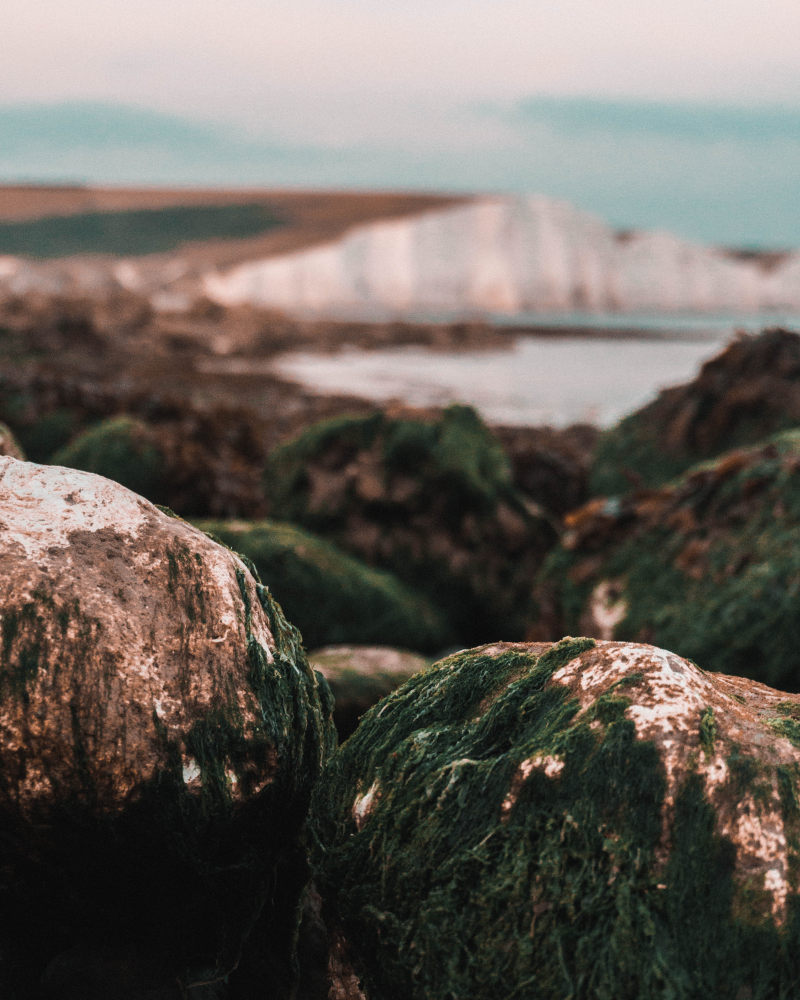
(428, 498)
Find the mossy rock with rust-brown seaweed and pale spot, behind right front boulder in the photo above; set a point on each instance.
(708, 566)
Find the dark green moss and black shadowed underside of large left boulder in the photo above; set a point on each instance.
(194, 878)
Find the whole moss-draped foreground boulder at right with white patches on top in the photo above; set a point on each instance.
(585, 820)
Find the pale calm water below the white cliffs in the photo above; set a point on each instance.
(596, 377)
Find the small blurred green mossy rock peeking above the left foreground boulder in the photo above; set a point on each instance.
(121, 448)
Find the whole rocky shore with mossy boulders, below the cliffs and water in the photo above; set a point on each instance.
(535, 816)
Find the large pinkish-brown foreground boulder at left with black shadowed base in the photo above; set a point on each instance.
(160, 731)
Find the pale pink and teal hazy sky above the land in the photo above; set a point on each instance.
(448, 94)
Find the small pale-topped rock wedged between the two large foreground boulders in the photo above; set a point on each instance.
(359, 676)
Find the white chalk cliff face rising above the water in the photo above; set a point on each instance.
(507, 254)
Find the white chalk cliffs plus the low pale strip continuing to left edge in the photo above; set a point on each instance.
(486, 255)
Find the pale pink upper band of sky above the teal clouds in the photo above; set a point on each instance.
(336, 67)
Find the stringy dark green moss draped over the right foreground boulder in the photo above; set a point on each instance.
(466, 880)
